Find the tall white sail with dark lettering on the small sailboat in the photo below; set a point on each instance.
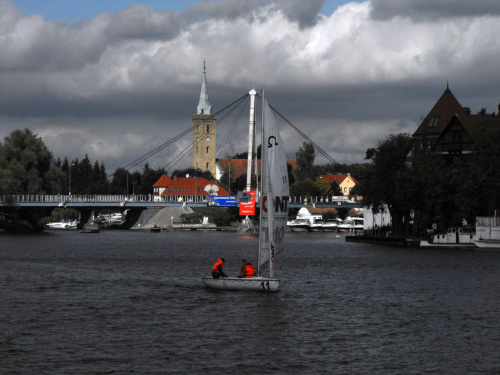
(275, 193)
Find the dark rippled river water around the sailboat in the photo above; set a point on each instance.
(128, 302)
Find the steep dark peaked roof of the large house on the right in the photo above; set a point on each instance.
(440, 115)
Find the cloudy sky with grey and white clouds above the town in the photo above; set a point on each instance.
(115, 79)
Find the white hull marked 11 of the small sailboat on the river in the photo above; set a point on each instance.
(257, 284)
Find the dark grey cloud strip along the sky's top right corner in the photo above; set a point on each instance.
(421, 10)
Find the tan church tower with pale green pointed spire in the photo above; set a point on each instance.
(204, 131)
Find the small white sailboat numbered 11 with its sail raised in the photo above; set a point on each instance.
(275, 193)
